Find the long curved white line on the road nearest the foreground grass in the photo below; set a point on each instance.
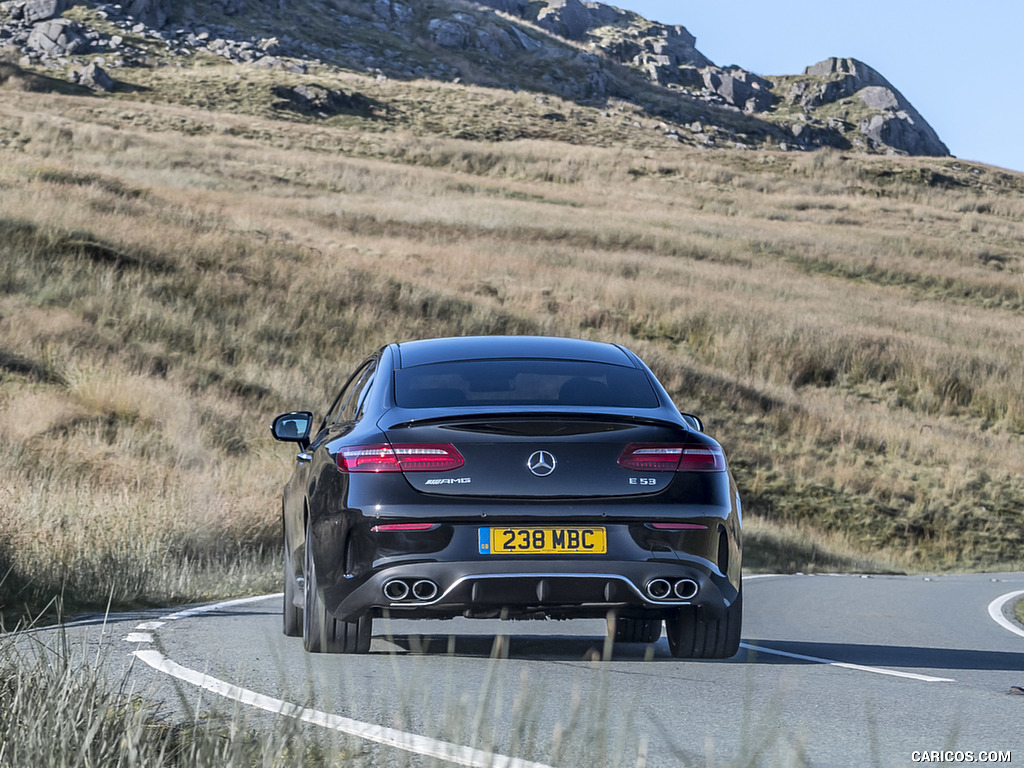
(391, 737)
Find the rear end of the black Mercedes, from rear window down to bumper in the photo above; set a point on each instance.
(532, 489)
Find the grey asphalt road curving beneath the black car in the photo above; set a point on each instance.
(834, 671)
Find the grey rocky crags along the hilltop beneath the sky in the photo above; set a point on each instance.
(584, 52)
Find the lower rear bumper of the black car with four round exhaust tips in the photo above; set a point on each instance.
(559, 589)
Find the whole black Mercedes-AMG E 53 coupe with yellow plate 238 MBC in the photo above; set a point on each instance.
(513, 478)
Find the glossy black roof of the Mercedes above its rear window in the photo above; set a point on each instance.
(428, 352)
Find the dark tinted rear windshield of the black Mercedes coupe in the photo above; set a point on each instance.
(475, 383)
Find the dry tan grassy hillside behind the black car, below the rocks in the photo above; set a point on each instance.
(178, 267)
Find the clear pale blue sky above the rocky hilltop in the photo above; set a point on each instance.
(960, 64)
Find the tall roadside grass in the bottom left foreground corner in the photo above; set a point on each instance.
(60, 707)
